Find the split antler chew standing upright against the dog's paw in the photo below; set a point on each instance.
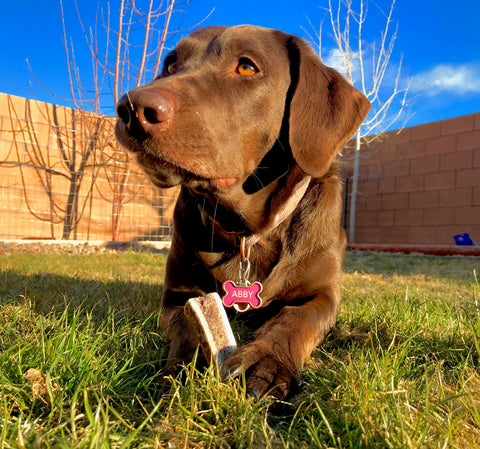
(209, 321)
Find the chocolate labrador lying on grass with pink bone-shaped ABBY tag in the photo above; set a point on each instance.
(248, 121)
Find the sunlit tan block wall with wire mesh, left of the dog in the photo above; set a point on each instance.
(64, 176)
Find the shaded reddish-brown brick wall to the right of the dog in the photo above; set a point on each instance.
(422, 185)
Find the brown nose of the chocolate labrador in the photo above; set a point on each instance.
(144, 112)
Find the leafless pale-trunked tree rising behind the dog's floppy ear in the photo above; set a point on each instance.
(368, 67)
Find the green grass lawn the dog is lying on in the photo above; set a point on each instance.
(400, 371)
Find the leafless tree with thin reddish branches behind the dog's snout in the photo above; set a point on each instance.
(126, 50)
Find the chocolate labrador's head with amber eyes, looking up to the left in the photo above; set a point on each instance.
(226, 98)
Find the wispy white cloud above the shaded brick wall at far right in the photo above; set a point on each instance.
(448, 78)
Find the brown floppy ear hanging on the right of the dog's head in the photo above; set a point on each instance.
(325, 110)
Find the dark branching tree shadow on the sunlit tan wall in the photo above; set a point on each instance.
(58, 151)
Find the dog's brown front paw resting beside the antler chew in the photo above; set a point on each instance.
(265, 372)
